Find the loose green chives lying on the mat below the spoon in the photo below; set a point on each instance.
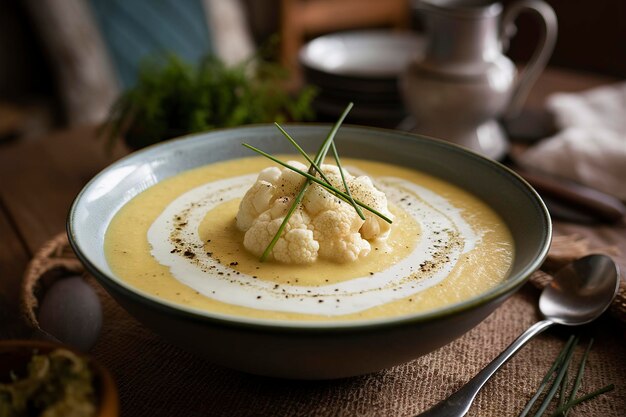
(557, 379)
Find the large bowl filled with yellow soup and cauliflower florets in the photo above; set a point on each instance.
(175, 234)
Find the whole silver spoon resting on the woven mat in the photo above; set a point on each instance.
(579, 293)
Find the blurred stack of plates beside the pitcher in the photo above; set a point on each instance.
(363, 67)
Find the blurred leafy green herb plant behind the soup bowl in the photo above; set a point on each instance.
(173, 98)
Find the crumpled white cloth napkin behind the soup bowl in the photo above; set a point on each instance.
(590, 148)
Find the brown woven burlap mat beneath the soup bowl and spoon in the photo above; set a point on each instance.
(156, 378)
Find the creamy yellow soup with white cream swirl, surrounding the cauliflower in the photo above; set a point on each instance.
(178, 240)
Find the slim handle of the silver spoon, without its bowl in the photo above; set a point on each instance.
(457, 404)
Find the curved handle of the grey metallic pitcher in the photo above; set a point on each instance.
(542, 53)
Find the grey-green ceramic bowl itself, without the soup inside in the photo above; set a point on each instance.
(310, 350)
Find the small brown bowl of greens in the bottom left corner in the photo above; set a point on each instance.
(44, 379)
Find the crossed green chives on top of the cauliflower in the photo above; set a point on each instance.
(311, 178)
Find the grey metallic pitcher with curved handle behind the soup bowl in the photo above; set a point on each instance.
(464, 83)
